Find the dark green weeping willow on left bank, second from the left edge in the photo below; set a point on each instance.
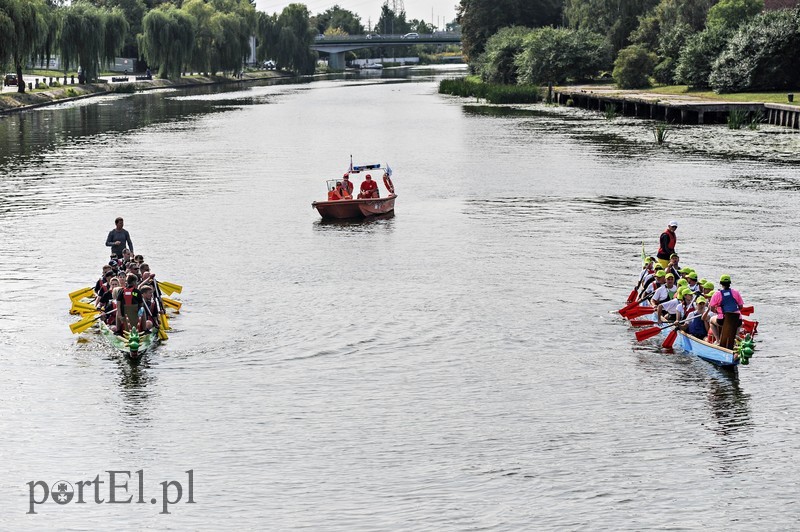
(91, 37)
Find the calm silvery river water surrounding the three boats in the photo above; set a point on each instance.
(455, 367)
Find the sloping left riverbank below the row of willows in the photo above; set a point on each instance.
(11, 102)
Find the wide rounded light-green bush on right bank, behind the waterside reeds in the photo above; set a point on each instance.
(558, 54)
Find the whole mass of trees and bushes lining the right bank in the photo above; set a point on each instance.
(725, 45)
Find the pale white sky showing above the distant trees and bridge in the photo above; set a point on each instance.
(443, 10)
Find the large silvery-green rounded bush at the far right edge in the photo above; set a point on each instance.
(761, 55)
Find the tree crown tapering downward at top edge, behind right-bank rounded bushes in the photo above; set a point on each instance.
(615, 19)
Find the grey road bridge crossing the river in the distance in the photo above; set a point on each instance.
(336, 46)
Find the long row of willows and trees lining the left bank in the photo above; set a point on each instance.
(172, 36)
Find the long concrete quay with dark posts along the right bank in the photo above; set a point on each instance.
(684, 109)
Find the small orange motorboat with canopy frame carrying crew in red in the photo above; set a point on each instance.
(358, 207)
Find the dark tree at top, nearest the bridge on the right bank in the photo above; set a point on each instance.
(480, 19)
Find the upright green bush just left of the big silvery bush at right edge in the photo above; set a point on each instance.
(698, 55)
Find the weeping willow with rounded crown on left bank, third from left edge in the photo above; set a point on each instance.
(167, 40)
